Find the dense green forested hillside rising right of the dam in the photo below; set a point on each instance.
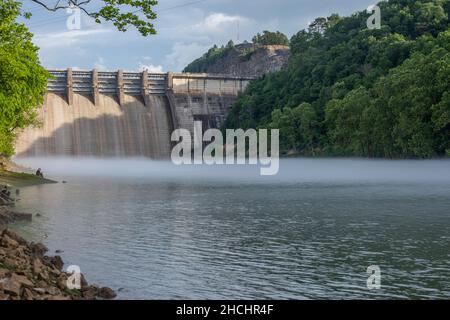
(351, 91)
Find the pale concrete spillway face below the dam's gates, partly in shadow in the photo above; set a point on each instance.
(106, 129)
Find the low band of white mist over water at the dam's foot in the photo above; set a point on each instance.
(291, 170)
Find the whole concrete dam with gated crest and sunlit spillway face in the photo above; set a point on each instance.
(125, 114)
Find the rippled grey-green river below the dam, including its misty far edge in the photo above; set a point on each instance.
(155, 231)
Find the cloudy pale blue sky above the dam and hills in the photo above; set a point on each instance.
(186, 29)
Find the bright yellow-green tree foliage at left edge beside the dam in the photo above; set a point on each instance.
(22, 80)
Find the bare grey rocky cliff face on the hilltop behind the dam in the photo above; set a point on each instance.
(251, 60)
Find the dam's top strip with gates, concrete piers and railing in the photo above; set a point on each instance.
(121, 83)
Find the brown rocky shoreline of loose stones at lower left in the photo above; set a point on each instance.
(27, 273)
